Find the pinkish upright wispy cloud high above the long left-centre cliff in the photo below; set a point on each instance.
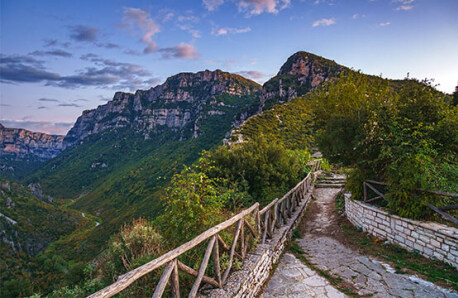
(136, 18)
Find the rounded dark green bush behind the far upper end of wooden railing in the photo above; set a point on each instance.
(263, 169)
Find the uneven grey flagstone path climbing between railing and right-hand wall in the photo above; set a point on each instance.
(365, 275)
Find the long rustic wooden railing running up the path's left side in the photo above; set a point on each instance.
(272, 216)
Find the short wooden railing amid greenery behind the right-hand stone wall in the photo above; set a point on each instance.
(371, 184)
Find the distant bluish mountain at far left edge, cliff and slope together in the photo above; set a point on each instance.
(22, 151)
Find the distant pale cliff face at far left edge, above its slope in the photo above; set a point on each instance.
(21, 143)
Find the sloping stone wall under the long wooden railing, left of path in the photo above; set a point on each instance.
(258, 264)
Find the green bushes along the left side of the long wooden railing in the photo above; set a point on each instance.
(196, 199)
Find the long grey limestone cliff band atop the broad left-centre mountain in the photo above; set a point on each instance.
(172, 105)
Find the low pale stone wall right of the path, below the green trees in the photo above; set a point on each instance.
(430, 239)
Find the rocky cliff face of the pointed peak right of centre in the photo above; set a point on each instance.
(301, 73)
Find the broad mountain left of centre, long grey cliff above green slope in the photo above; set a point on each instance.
(119, 155)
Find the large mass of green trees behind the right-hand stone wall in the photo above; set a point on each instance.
(402, 133)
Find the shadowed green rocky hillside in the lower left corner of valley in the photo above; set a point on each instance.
(27, 226)
